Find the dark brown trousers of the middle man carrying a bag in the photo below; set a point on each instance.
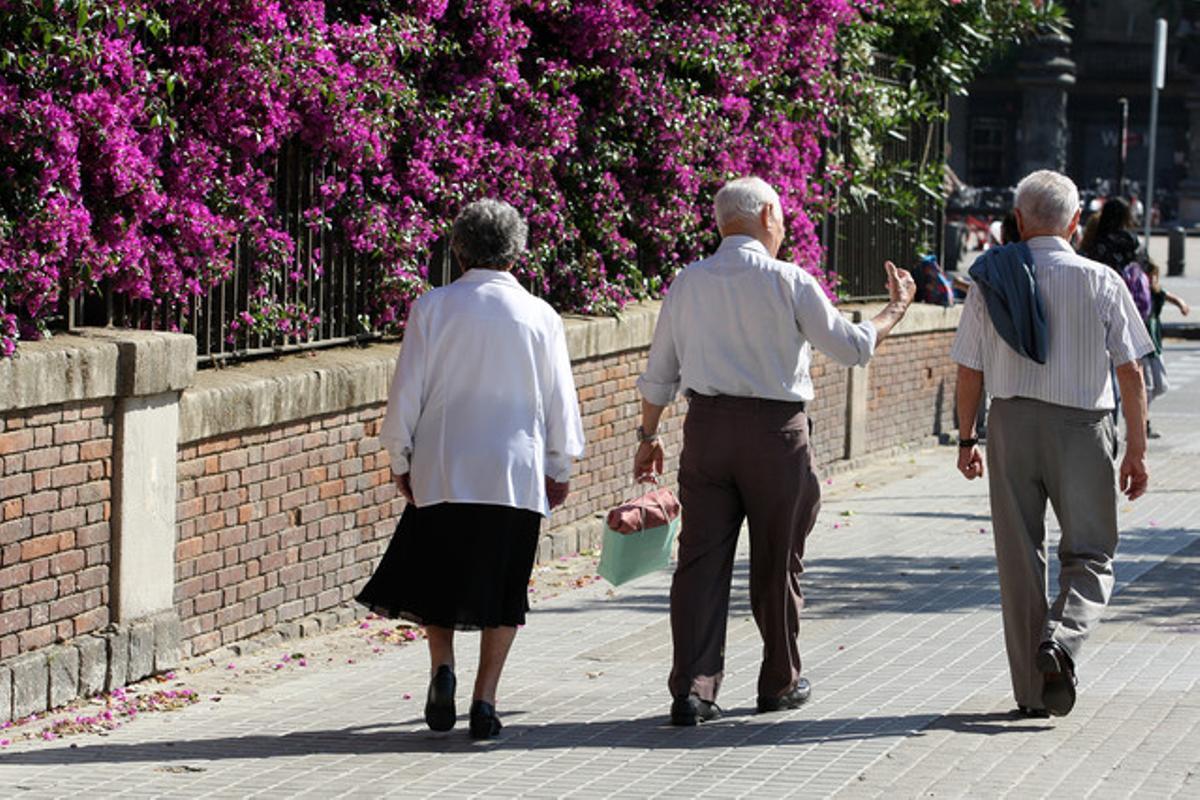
(742, 459)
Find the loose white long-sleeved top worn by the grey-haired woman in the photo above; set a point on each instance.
(483, 405)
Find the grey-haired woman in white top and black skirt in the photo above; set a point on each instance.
(482, 425)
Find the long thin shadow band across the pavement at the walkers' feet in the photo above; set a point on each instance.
(739, 730)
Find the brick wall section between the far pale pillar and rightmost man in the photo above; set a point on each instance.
(911, 390)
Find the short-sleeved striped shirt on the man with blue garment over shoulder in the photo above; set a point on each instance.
(1091, 323)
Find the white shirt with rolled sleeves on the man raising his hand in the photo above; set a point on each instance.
(740, 323)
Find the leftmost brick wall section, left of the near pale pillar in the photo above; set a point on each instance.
(55, 524)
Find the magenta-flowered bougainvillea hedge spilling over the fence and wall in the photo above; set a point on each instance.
(139, 141)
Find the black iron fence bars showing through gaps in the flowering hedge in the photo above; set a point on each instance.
(337, 286)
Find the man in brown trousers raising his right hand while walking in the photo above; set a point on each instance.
(734, 335)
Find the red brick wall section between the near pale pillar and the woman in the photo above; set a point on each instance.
(279, 524)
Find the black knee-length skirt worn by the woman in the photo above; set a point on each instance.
(460, 566)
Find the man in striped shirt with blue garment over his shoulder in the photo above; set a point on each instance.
(1051, 434)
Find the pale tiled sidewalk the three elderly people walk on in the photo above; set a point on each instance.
(902, 641)
